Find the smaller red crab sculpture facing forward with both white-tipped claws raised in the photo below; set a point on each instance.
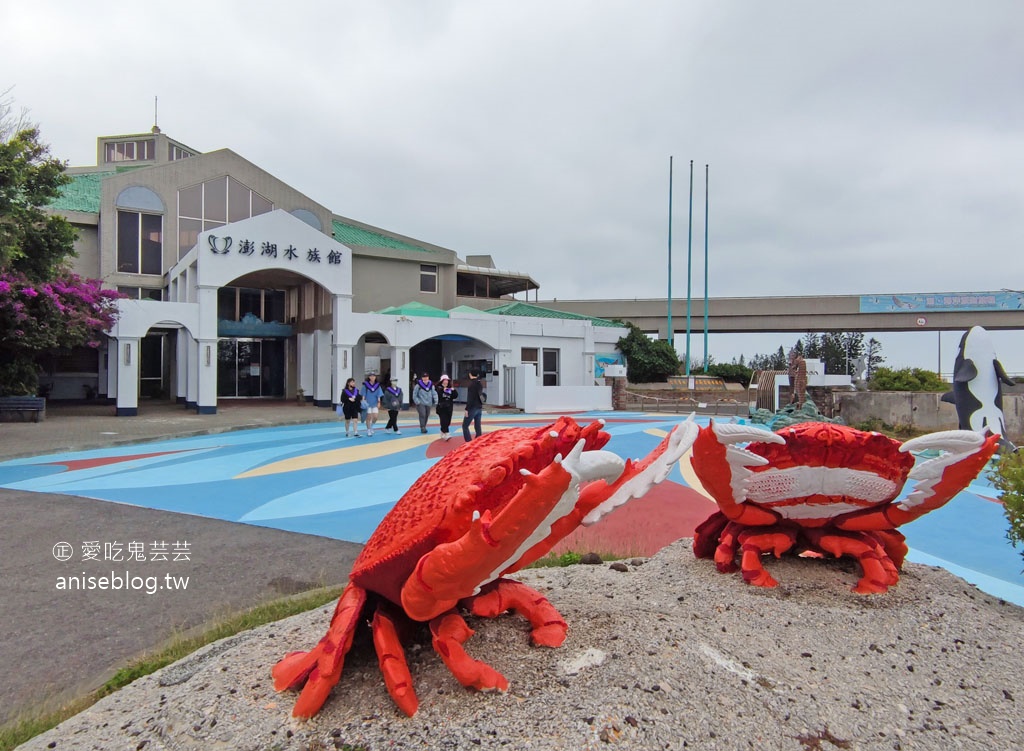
(822, 489)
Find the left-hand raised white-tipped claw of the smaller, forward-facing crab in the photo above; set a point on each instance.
(723, 468)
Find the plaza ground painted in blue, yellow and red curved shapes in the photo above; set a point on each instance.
(312, 479)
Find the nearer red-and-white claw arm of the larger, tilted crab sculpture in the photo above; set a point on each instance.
(457, 570)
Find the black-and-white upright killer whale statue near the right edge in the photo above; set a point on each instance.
(977, 394)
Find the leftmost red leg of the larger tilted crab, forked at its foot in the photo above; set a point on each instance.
(321, 667)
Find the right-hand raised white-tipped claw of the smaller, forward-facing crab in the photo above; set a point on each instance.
(938, 480)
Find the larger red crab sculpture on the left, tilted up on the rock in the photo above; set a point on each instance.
(487, 510)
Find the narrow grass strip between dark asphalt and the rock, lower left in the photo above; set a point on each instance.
(23, 729)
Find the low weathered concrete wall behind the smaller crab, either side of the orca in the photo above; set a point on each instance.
(923, 411)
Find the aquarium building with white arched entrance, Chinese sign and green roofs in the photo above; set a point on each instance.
(242, 287)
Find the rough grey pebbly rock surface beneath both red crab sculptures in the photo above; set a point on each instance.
(667, 655)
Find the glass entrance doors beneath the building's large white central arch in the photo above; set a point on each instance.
(250, 368)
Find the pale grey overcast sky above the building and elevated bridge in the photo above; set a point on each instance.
(854, 148)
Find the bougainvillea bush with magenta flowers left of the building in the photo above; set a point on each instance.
(41, 317)
